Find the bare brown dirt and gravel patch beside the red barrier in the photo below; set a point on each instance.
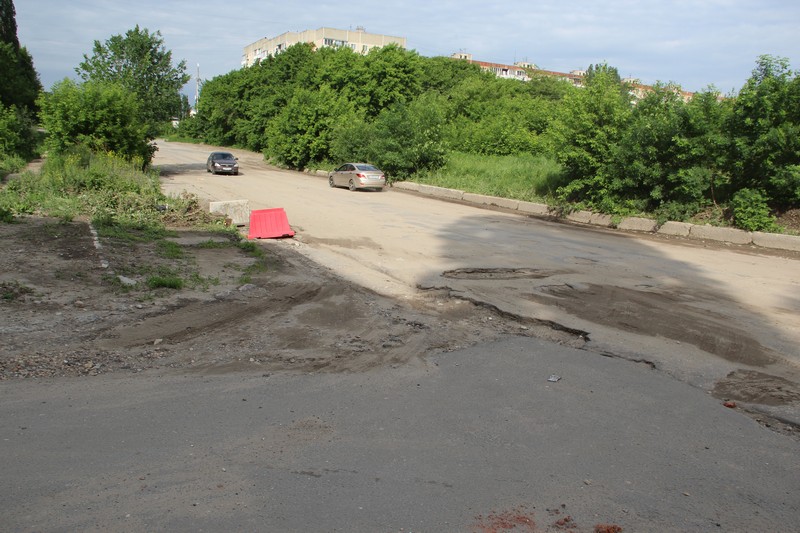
(75, 304)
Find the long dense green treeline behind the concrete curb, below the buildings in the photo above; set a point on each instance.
(410, 115)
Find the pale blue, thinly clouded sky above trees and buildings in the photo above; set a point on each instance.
(694, 43)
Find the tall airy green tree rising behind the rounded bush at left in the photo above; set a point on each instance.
(139, 62)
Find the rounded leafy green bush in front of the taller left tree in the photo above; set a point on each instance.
(99, 115)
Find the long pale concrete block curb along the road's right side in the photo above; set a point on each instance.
(775, 241)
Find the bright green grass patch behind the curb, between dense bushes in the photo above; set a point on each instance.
(522, 177)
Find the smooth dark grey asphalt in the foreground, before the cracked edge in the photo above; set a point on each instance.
(476, 439)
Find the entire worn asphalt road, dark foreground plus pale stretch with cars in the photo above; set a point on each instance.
(472, 440)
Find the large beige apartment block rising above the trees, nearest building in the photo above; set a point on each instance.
(357, 40)
